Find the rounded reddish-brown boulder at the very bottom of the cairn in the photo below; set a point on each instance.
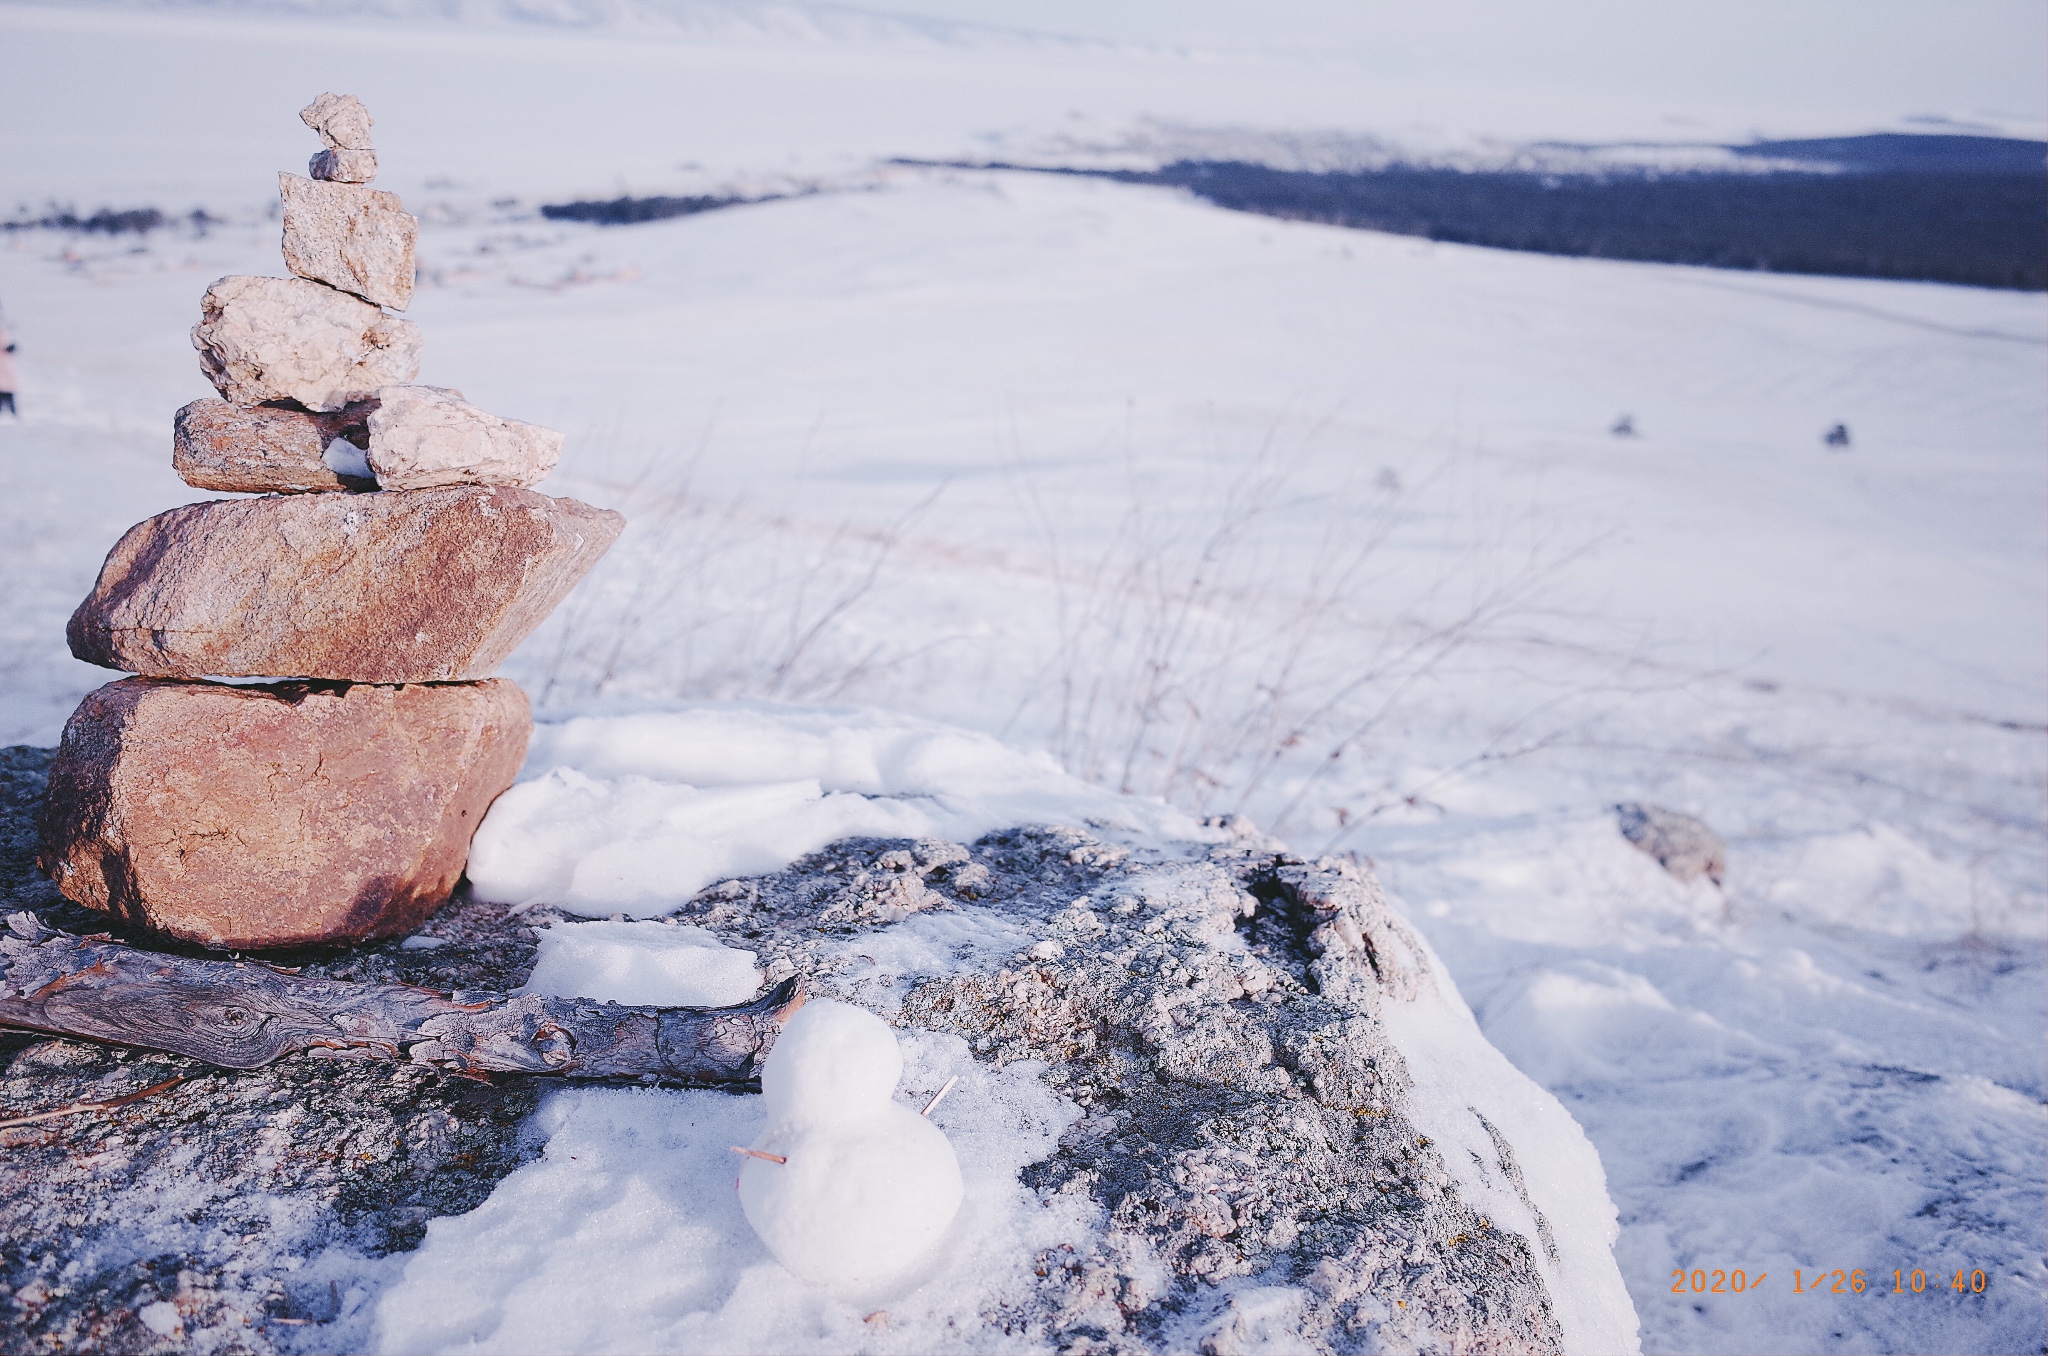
(275, 816)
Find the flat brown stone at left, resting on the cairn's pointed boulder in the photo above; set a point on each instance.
(265, 450)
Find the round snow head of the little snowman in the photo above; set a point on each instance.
(833, 1064)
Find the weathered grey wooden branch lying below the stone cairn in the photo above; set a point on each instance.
(243, 1015)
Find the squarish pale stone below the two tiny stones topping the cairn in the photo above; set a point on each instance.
(347, 237)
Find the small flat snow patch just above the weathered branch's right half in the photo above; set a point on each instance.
(644, 964)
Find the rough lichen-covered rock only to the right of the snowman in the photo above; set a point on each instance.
(1215, 1017)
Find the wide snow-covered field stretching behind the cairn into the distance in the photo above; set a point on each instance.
(1269, 519)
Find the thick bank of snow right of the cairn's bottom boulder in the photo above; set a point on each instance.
(634, 814)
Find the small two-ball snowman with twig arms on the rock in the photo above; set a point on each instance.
(847, 1187)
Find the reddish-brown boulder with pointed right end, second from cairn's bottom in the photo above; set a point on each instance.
(396, 587)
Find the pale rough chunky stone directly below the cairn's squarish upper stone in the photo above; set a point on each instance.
(288, 339)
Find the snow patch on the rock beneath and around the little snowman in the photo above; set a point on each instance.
(628, 1234)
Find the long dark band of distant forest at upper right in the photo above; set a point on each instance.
(1928, 208)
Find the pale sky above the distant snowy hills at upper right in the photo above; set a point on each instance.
(1961, 58)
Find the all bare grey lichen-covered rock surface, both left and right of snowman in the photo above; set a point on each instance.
(1246, 1164)
